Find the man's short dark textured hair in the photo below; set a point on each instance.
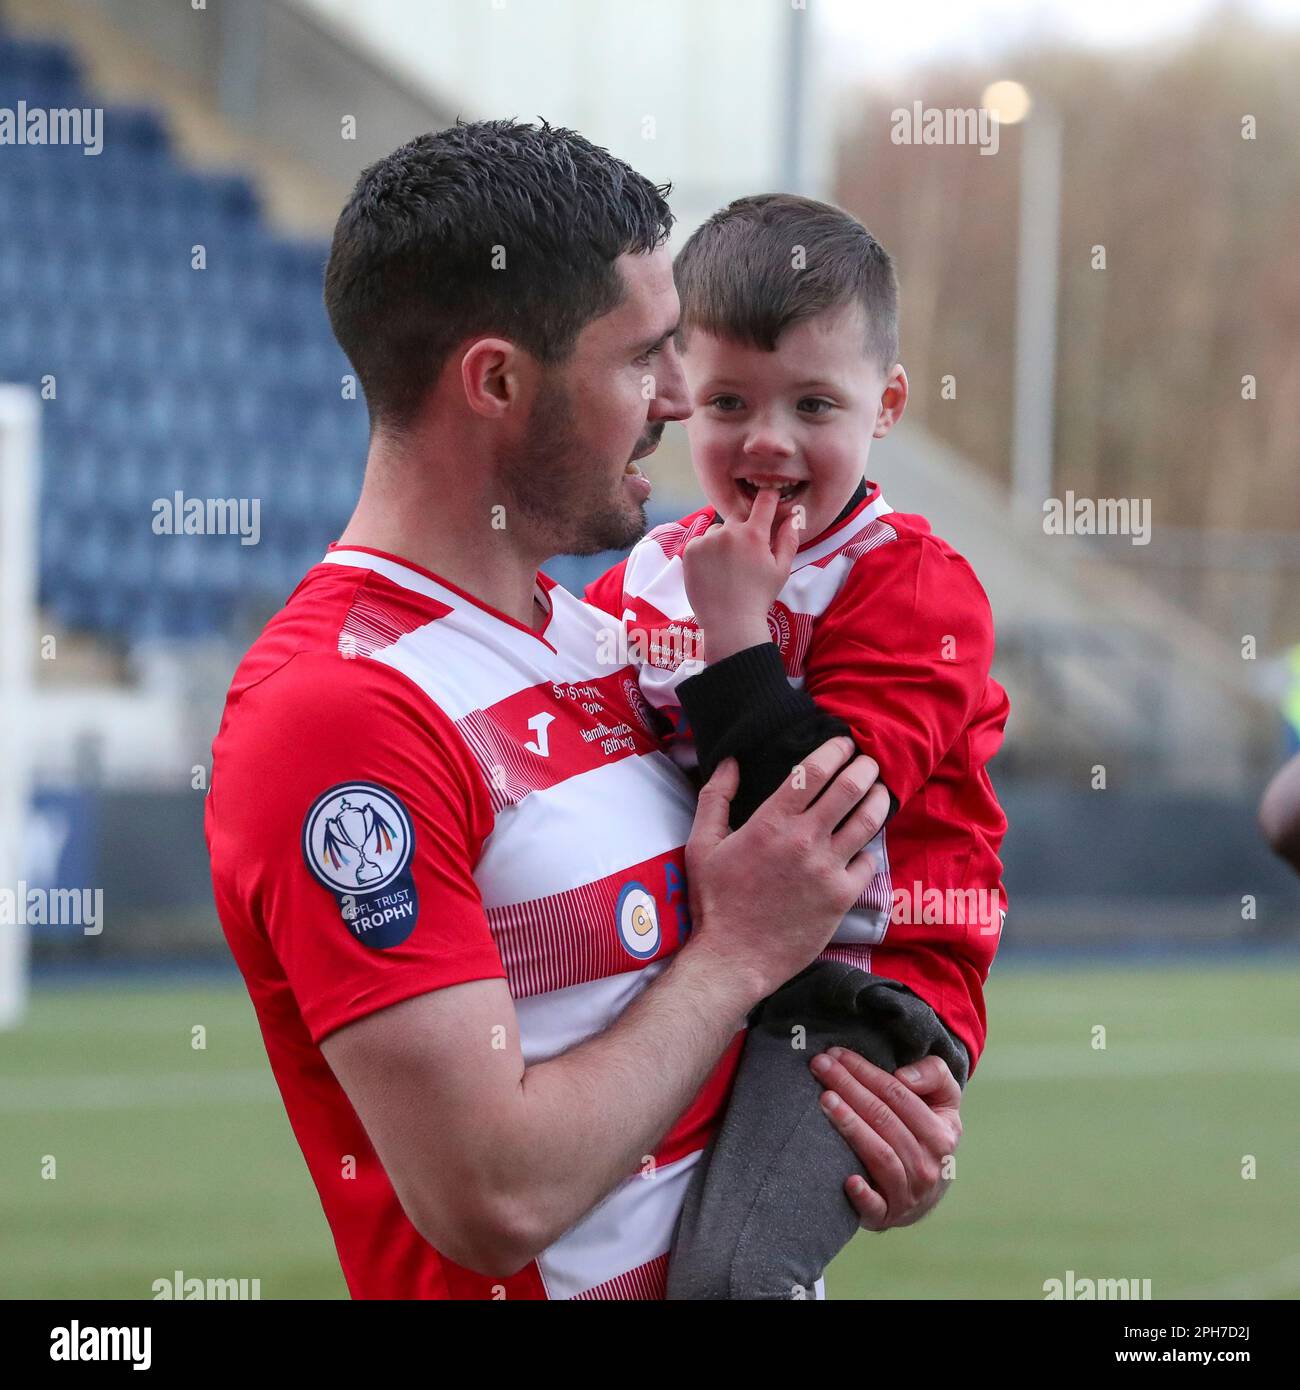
(490, 227)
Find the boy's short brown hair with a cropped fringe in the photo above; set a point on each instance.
(772, 261)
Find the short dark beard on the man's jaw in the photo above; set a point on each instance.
(568, 498)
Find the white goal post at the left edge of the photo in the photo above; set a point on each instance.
(20, 433)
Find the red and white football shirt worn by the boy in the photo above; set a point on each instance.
(888, 628)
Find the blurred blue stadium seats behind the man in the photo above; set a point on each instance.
(181, 347)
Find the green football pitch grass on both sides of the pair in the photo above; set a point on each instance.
(1117, 1163)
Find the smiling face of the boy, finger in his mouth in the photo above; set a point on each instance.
(803, 416)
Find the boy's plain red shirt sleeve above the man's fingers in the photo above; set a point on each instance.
(903, 657)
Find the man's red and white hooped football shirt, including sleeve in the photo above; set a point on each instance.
(411, 790)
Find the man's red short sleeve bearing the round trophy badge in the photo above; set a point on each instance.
(346, 819)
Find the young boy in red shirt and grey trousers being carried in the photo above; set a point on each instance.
(821, 611)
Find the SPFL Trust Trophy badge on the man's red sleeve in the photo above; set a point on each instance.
(359, 843)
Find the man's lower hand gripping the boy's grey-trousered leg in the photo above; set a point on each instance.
(902, 1129)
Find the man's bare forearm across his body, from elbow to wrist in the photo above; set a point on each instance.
(596, 1114)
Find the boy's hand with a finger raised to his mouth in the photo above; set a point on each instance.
(735, 572)
